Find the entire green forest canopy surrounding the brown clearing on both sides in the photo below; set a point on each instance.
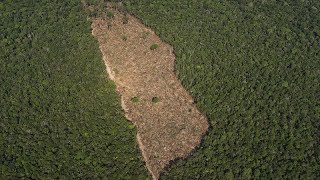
(252, 67)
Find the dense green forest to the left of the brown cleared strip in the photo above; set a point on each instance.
(59, 116)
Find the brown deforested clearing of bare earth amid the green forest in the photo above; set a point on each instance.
(169, 126)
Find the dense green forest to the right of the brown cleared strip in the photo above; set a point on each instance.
(253, 67)
